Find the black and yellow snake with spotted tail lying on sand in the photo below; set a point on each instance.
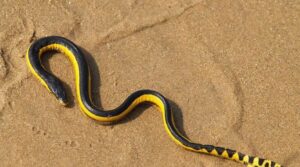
(83, 93)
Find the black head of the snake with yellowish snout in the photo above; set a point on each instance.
(56, 87)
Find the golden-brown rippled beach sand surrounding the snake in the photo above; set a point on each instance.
(231, 70)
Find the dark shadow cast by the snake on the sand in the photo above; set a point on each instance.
(96, 97)
